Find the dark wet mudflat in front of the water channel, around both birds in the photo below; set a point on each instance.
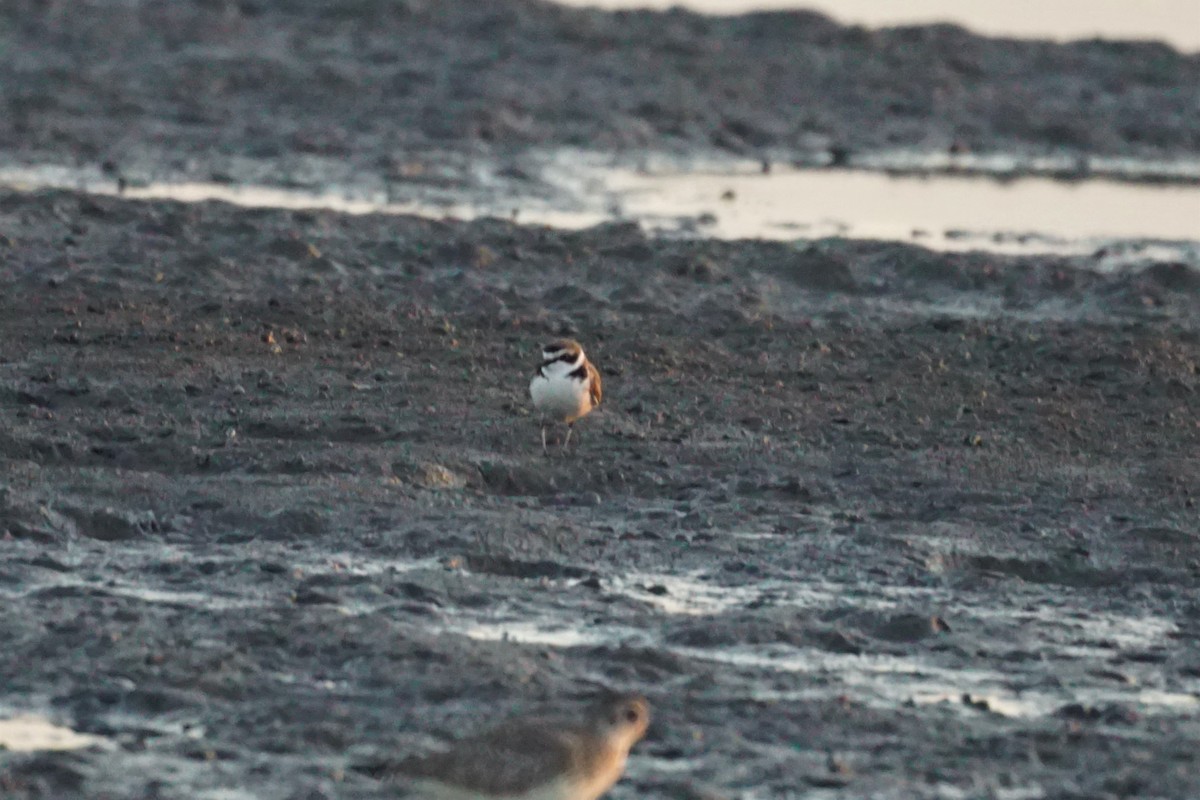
(272, 492)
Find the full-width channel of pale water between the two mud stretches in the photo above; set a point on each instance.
(739, 200)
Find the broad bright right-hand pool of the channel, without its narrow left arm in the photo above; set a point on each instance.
(1028, 215)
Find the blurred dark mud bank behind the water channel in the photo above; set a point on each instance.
(160, 88)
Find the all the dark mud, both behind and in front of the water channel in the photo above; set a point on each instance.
(861, 520)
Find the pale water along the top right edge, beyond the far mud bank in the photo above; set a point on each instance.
(1177, 22)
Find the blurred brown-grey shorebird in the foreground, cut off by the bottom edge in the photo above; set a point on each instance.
(537, 759)
